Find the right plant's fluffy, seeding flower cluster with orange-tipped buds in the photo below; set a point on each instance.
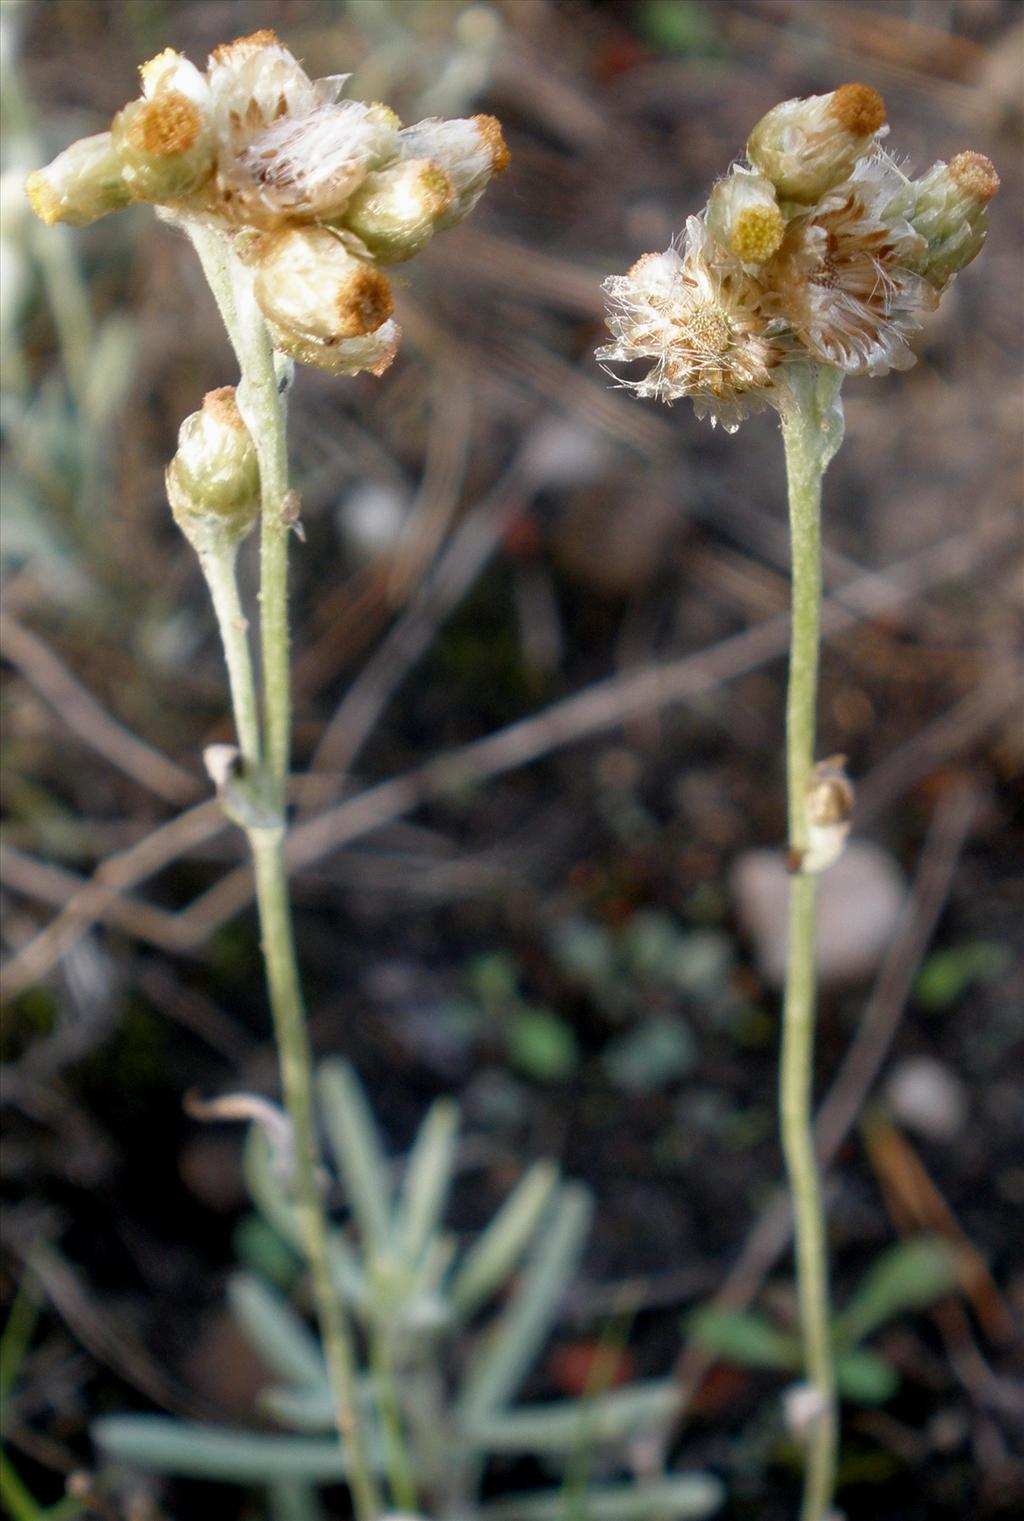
(818, 249)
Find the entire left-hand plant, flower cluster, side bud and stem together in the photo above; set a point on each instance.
(293, 200)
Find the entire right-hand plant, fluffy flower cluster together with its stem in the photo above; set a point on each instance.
(810, 264)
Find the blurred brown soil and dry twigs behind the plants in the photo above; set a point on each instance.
(562, 930)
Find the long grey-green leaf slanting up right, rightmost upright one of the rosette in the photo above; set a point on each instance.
(512, 1345)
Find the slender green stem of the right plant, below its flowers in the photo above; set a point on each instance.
(812, 431)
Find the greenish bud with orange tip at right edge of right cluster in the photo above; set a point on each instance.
(949, 208)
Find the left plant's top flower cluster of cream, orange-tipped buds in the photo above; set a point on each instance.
(314, 192)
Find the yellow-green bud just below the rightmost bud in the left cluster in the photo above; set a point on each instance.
(396, 209)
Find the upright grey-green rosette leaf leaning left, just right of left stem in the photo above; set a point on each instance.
(357, 1149)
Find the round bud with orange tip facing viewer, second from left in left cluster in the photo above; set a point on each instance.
(165, 147)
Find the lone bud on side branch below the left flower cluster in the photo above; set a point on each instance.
(214, 477)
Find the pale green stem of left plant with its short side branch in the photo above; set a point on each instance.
(262, 408)
